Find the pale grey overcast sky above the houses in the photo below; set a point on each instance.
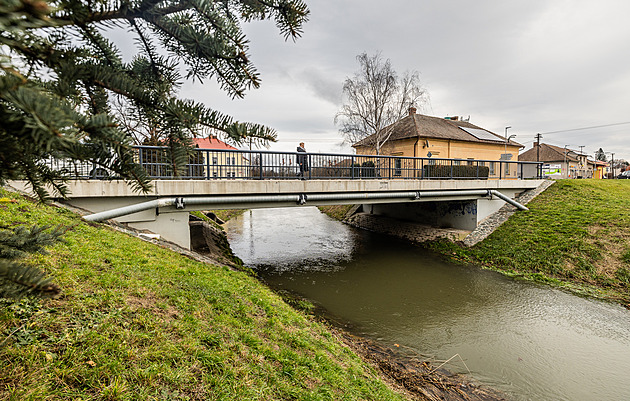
(535, 65)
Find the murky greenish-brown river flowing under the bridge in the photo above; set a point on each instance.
(531, 342)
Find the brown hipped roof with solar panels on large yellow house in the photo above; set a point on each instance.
(418, 125)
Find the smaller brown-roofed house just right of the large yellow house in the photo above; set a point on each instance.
(560, 162)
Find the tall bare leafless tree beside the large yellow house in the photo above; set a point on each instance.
(375, 98)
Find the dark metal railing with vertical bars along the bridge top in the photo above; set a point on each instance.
(209, 164)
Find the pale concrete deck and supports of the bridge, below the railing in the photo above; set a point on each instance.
(165, 210)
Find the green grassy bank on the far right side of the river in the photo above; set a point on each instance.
(577, 233)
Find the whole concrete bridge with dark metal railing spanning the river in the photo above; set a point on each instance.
(401, 187)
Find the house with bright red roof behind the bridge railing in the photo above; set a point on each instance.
(224, 161)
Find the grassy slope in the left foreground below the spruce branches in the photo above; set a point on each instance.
(140, 322)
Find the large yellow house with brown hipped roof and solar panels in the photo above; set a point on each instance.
(417, 135)
